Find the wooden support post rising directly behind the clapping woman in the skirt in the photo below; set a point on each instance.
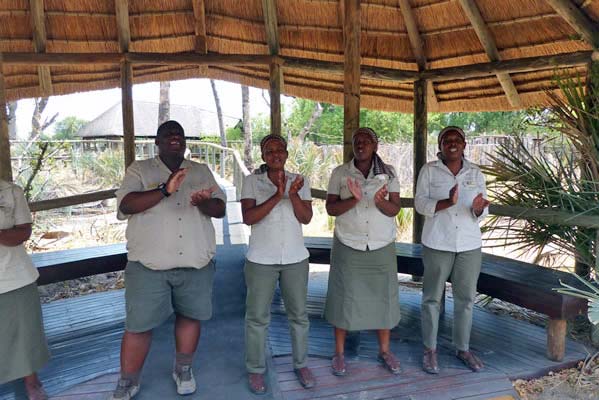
(351, 87)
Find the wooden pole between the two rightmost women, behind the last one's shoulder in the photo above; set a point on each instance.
(420, 139)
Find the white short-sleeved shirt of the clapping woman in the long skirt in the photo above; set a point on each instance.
(364, 226)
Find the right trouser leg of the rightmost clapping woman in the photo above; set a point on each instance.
(464, 276)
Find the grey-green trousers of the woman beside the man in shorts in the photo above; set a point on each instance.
(261, 281)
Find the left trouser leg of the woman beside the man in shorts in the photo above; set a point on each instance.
(261, 282)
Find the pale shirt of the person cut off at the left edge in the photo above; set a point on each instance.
(16, 268)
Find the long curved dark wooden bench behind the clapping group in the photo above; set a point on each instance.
(520, 283)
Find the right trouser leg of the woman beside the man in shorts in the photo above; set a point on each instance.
(294, 289)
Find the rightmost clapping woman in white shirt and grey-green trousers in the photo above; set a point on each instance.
(451, 194)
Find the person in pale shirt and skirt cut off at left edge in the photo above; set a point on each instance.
(23, 346)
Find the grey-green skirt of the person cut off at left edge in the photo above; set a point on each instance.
(23, 346)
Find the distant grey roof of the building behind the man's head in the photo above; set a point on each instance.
(195, 121)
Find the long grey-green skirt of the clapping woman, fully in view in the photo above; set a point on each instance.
(362, 292)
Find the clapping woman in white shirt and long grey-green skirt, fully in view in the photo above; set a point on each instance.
(363, 195)
